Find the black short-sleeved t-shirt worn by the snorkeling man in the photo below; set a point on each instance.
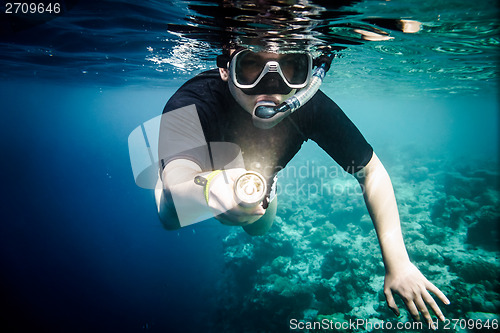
(267, 151)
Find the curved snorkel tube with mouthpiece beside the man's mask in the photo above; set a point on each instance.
(266, 114)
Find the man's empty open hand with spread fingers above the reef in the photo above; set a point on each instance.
(413, 288)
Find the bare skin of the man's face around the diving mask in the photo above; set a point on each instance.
(248, 102)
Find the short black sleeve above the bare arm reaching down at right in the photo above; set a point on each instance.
(333, 131)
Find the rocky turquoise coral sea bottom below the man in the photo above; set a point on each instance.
(321, 263)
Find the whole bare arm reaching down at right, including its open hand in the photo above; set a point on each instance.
(401, 277)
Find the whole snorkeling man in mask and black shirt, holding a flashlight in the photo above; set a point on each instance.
(253, 102)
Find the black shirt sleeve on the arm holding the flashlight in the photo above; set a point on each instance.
(188, 118)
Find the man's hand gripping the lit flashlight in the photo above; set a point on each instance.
(222, 202)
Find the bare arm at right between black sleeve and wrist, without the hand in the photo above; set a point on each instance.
(381, 204)
